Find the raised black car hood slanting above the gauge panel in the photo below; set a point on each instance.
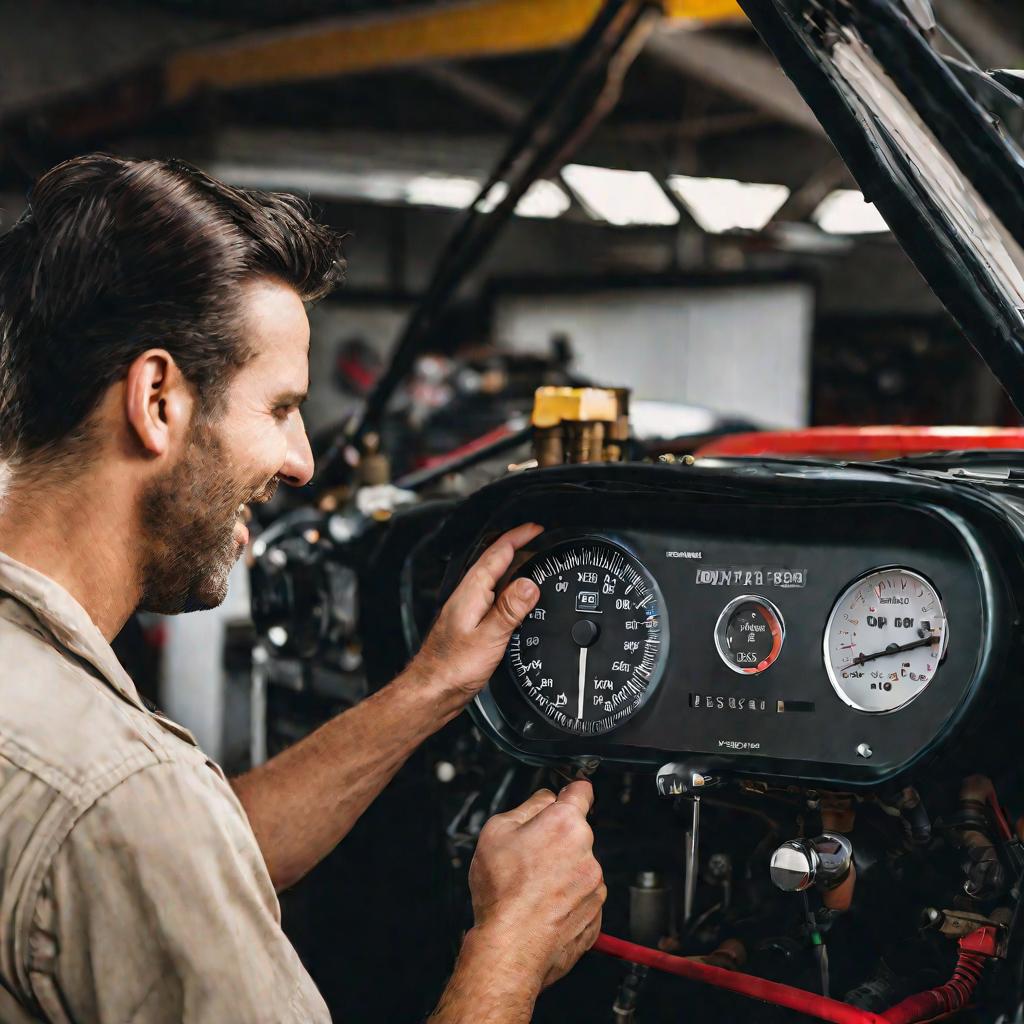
(926, 136)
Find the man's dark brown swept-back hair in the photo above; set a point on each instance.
(114, 257)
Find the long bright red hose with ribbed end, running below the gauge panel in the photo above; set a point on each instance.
(975, 949)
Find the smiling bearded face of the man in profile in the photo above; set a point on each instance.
(194, 517)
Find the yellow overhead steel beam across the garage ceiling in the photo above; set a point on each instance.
(347, 47)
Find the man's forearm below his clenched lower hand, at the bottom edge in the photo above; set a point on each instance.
(488, 987)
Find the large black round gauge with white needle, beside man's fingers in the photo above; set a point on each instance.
(591, 653)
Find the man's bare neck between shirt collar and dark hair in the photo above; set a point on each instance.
(78, 535)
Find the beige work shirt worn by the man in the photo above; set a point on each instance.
(132, 885)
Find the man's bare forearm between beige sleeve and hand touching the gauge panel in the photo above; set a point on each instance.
(305, 801)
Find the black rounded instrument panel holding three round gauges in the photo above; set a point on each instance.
(760, 624)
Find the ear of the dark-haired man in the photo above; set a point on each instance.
(158, 402)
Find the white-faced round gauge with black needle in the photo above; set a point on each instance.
(885, 641)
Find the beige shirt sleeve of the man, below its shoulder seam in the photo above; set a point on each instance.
(158, 909)
